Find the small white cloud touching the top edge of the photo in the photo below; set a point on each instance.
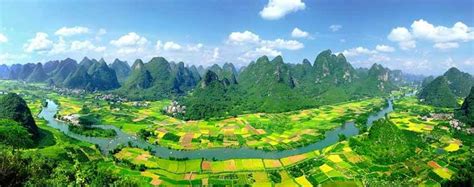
(276, 9)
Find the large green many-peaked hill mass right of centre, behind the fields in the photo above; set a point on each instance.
(275, 86)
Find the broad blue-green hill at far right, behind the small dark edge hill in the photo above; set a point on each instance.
(444, 90)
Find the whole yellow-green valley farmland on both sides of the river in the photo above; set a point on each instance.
(436, 159)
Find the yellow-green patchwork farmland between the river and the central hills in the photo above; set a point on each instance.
(266, 131)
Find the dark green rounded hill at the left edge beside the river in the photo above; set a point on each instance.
(15, 108)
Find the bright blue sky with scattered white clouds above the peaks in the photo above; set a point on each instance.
(416, 36)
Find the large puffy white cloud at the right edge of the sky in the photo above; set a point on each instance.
(443, 37)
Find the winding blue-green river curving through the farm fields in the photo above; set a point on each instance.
(105, 144)
